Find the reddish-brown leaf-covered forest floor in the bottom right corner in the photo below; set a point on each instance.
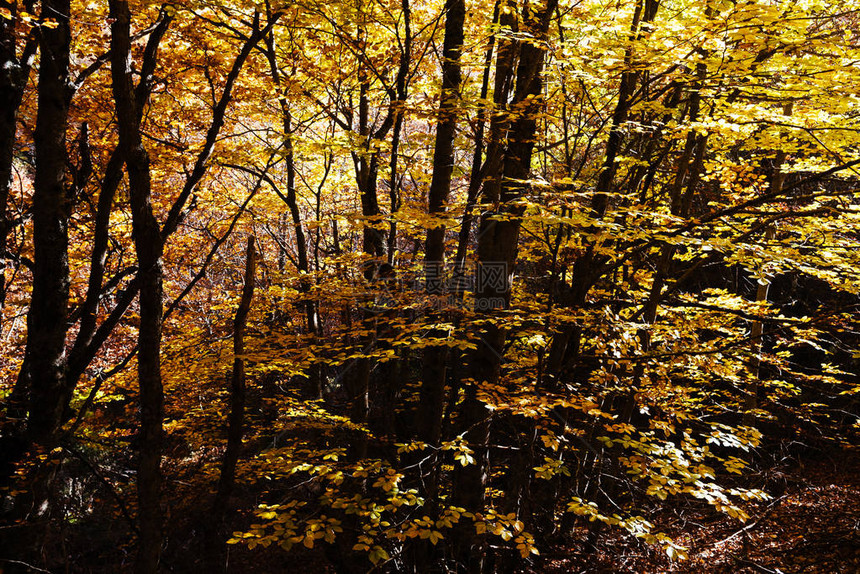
(811, 525)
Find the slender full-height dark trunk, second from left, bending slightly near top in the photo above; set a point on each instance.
(148, 245)
